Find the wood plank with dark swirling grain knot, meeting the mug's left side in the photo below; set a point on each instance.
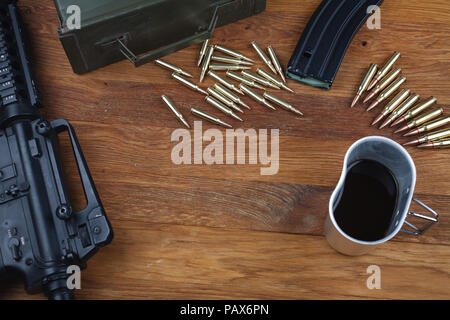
(260, 206)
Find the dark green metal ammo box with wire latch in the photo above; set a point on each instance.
(141, 30)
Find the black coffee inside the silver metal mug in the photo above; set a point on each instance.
(367, 203)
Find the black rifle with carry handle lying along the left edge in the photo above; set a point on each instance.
(40, 234)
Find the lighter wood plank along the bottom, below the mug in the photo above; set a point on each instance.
(171, 262)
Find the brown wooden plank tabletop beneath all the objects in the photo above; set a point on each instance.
(226, 231)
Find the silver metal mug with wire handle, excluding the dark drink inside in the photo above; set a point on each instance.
(393, 156)
